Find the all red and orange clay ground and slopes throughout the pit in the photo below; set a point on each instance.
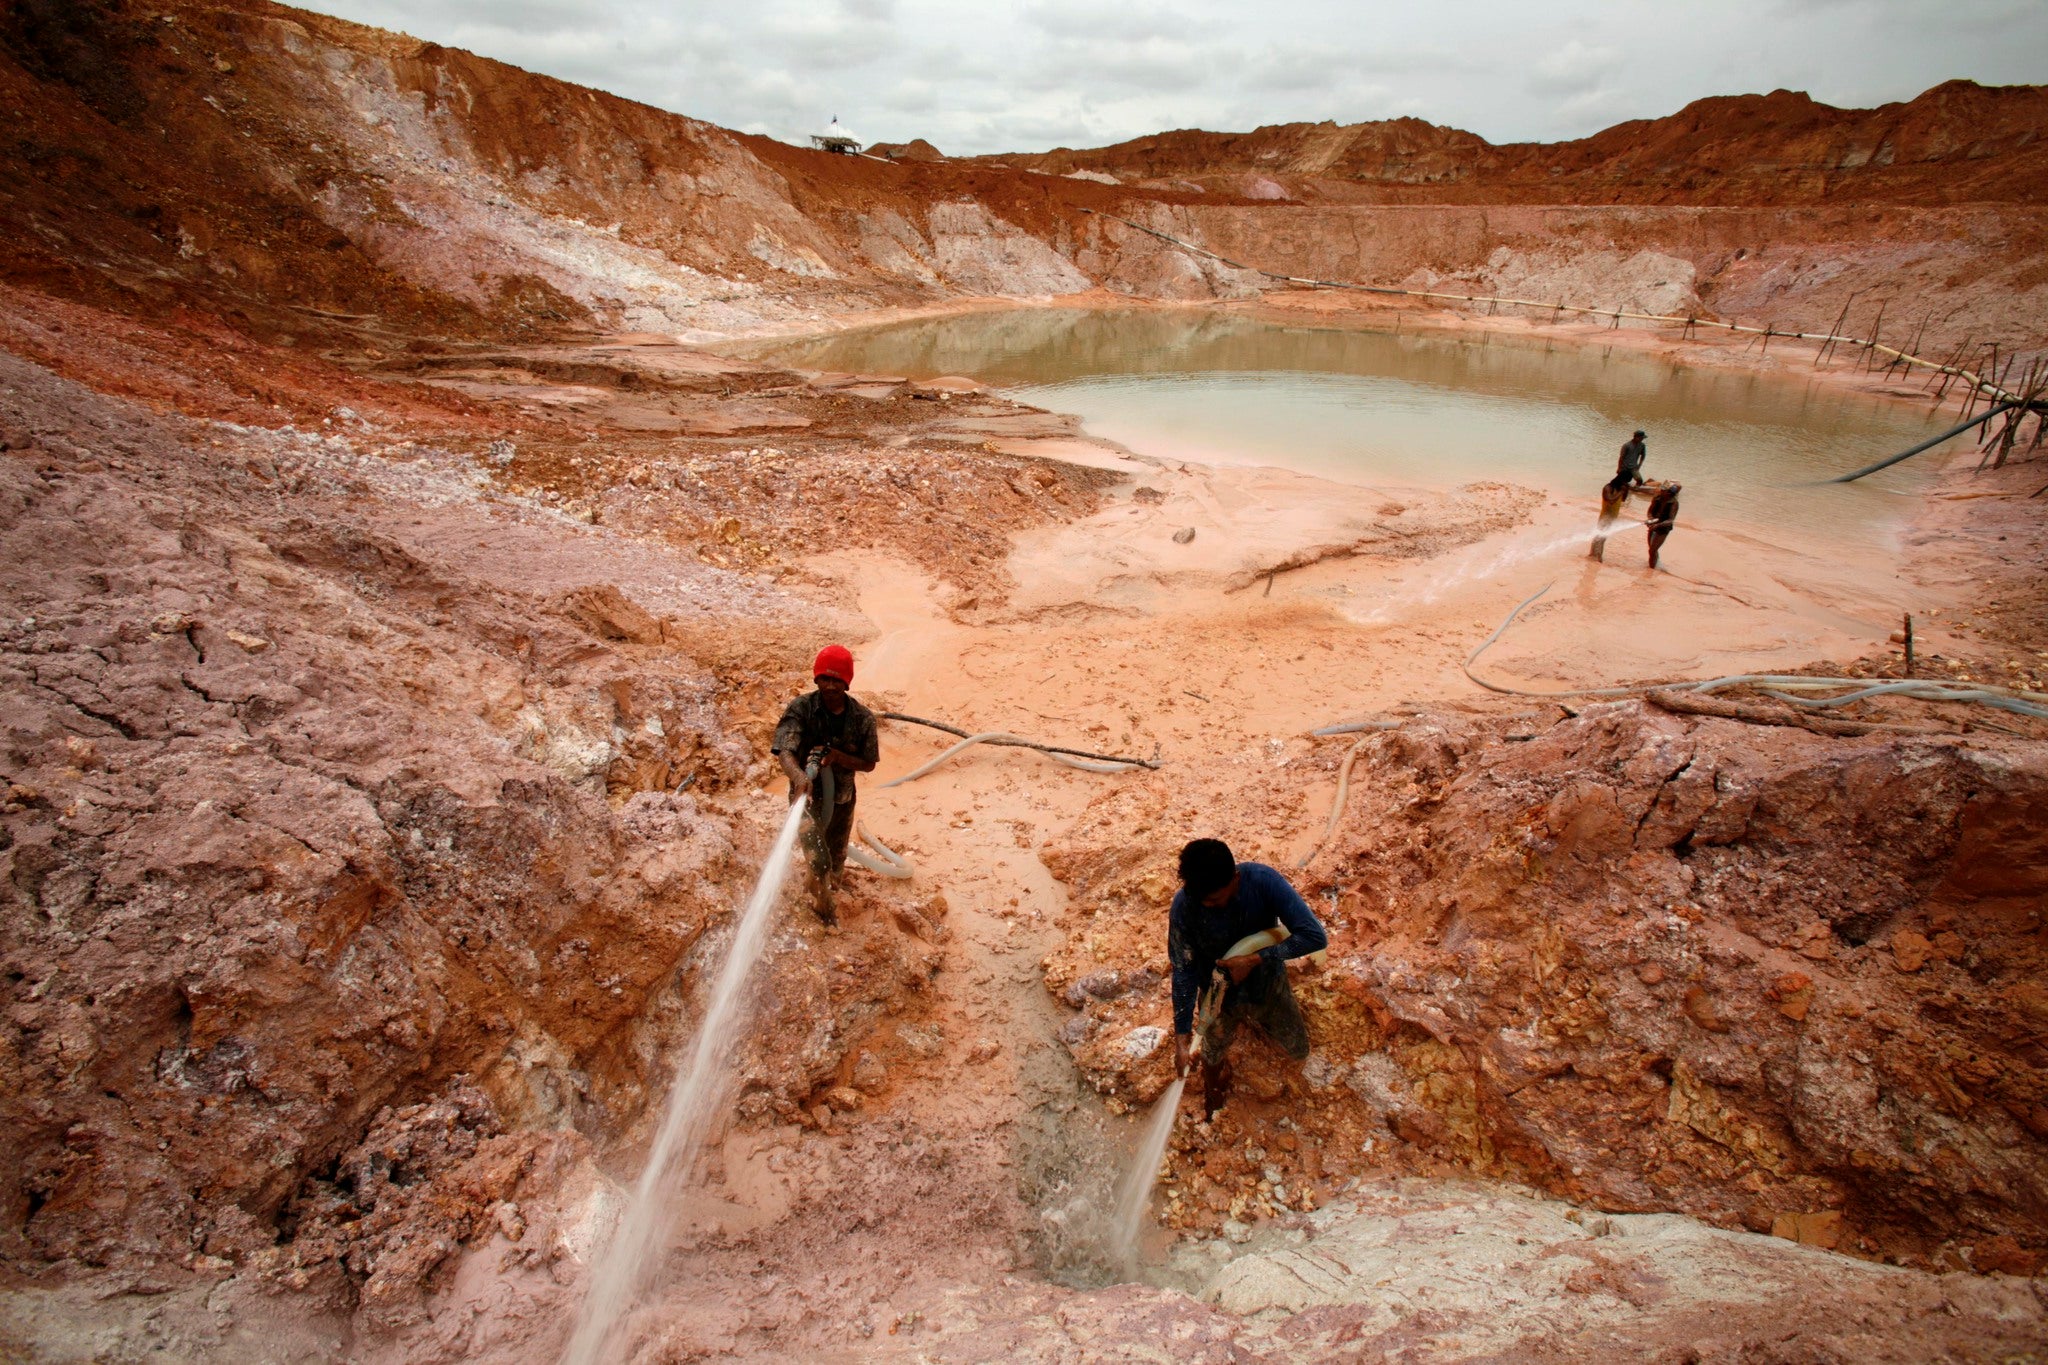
(390, 660)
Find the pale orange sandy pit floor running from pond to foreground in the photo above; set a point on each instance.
(945, 1202)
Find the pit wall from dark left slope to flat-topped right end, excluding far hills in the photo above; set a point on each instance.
(280, 167)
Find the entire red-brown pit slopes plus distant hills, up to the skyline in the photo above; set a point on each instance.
(333, 181)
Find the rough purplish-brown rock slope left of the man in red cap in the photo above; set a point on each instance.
(300, 818)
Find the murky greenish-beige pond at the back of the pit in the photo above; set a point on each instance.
(1424, 410)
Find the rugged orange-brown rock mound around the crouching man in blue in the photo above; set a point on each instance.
(1760, 977)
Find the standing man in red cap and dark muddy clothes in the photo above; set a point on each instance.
(835, 732)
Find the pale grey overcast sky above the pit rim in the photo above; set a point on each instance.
(1084, 73)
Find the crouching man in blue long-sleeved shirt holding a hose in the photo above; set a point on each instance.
(1220, 904)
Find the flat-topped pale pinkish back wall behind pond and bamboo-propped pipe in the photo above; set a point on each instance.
(1969, 273)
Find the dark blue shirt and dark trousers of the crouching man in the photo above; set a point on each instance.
(1199, 936)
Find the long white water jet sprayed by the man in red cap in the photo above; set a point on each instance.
(695, 1104)
